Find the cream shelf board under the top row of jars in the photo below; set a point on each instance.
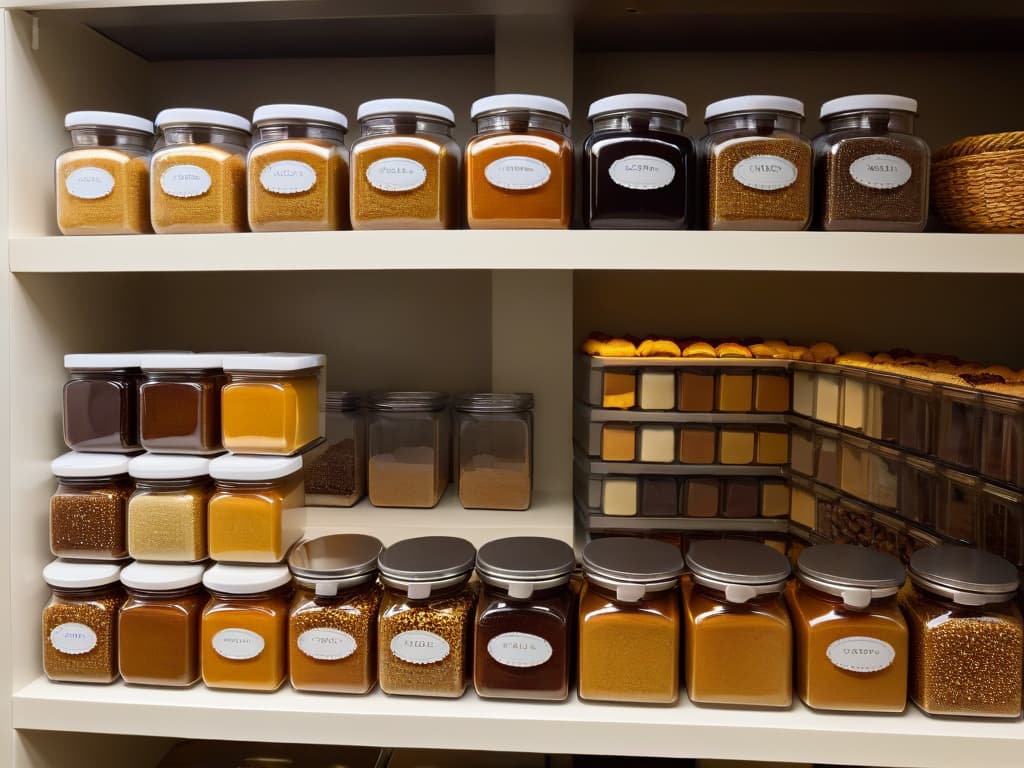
(826, 252)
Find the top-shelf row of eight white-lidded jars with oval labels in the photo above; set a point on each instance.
(210, 174)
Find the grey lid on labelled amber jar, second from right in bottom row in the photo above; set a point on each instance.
(858, 575)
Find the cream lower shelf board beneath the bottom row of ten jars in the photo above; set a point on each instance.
(910, 741)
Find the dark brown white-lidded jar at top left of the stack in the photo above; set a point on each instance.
(101, 403)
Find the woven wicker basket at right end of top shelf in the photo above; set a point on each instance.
(978, 184)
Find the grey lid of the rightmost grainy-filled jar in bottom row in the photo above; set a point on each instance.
(968, 577)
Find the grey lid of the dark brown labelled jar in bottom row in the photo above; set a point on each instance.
(525, 565)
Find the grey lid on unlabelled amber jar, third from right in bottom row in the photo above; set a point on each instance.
(742, 570)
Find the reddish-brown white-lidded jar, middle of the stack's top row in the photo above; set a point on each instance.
(180, 404)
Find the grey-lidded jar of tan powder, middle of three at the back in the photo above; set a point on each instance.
(410, 437)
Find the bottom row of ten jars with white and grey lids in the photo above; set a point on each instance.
(745, 629)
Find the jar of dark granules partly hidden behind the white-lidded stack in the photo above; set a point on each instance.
(336, 471)
